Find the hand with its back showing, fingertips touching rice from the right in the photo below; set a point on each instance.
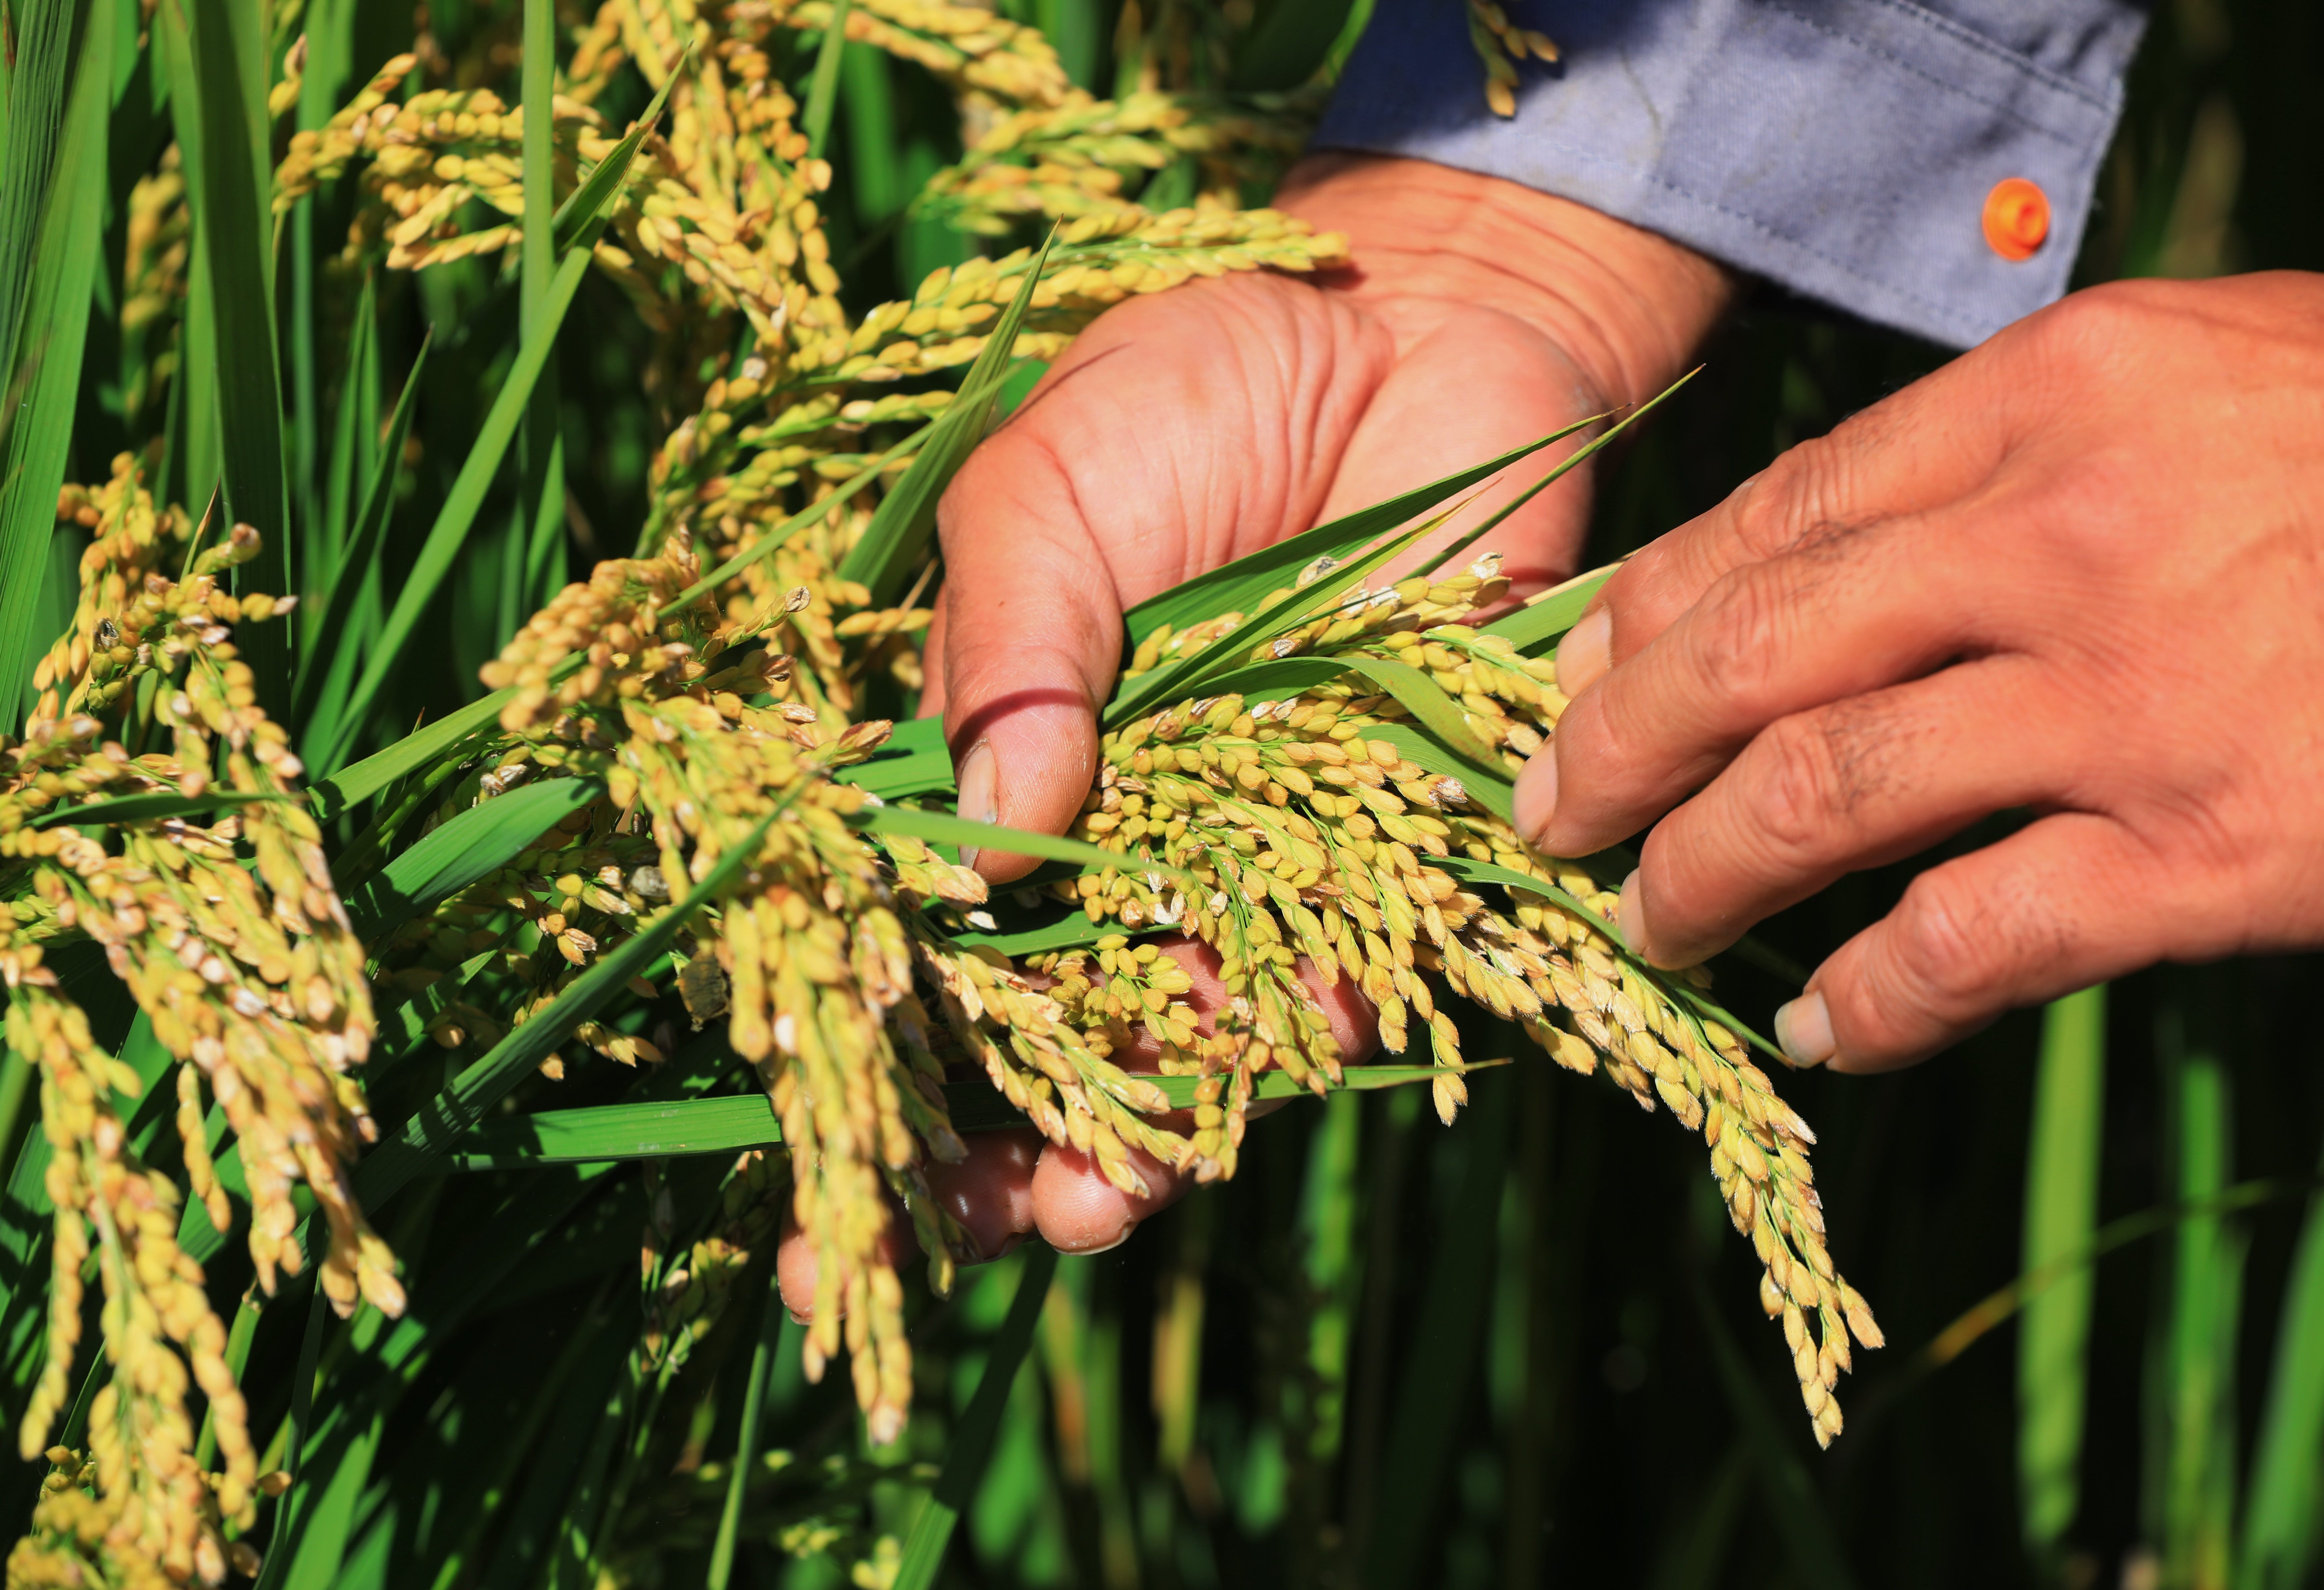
(2079, 571)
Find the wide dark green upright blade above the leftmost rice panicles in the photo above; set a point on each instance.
(231, 229)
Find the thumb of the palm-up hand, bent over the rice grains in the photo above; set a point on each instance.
(1033, 636)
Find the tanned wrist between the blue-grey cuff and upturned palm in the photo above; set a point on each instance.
(1626, 306)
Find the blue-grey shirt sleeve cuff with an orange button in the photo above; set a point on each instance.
(1846, 150)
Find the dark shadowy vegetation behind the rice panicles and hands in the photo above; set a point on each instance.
(1526, 1349)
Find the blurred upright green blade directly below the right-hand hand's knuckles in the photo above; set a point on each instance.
(2063, 1212)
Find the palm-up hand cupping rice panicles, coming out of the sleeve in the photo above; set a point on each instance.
(1200, 424)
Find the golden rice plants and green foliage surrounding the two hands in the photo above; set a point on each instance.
(478, 882)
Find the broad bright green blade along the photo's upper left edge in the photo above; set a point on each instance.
(55, 266)
